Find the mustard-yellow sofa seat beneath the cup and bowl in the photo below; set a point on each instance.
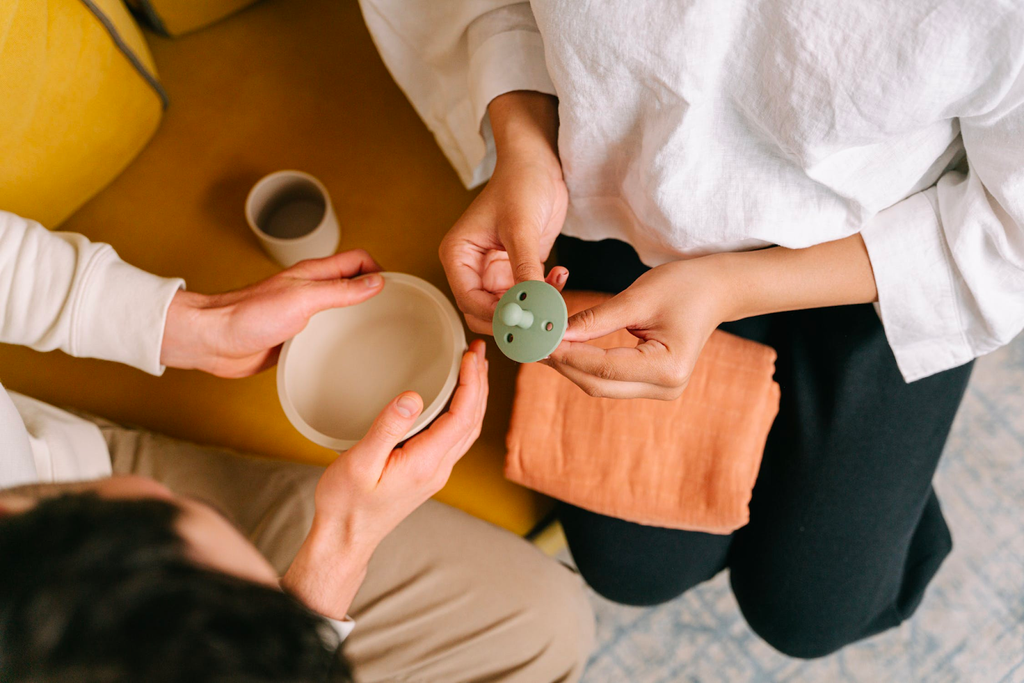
(283, 84)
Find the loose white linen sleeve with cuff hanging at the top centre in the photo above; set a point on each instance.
(451, 59)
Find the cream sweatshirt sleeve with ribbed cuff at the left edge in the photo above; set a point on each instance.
(60, 291)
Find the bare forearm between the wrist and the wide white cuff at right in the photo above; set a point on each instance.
(776, 280)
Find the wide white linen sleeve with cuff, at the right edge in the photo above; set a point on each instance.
(950, 262)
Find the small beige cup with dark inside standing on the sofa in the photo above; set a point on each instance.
(291, 215)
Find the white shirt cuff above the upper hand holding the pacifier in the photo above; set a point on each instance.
(506, 63)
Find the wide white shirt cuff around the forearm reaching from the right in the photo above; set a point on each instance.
(914, 274)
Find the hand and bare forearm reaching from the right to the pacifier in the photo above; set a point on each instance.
(673, 310)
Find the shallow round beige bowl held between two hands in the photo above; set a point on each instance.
(339, 373)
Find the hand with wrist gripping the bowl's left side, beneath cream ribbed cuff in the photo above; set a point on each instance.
(240, 333)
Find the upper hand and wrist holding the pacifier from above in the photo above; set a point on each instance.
(507, 233)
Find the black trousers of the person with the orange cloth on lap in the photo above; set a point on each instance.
(845, 530)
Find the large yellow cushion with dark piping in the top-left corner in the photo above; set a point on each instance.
(75, 109)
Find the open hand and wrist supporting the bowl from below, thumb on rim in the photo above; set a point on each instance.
(370, 489)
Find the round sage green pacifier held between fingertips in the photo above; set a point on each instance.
(530, 322)
